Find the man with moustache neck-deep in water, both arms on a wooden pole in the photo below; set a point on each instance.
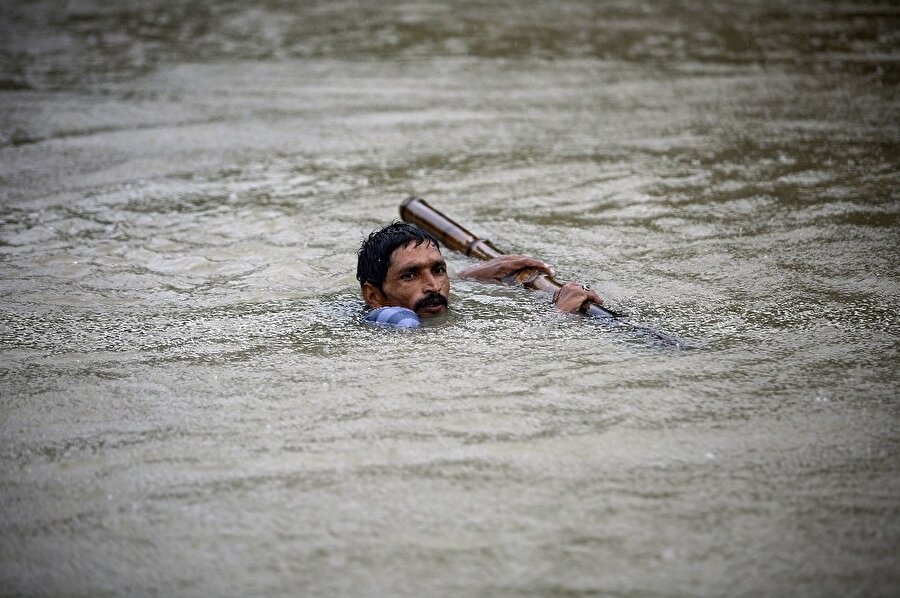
(403, 276)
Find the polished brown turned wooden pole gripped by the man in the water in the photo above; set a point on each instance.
(416, 210)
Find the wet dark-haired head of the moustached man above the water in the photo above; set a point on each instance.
(401, 265)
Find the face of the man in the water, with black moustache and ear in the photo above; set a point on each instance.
(416, 278)
